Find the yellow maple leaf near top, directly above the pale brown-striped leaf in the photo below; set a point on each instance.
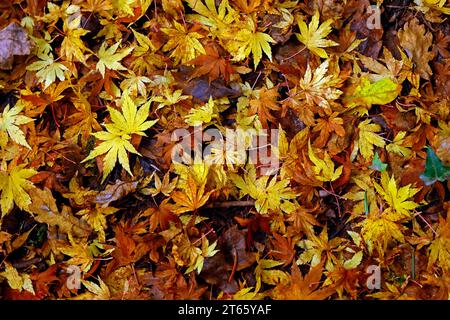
(313, 35)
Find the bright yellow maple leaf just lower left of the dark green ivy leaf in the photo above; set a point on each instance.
(397, 198)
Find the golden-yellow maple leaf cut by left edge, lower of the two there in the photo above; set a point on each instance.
(14, 185)
